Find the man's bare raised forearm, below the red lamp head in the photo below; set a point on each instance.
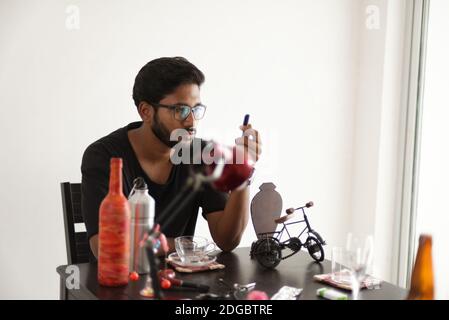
(233, 221)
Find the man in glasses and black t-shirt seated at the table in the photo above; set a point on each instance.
(167, 96)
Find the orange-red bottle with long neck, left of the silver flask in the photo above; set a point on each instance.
(113, 236)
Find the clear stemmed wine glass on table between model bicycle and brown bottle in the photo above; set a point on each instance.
(359, 251)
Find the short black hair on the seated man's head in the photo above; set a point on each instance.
(162, 76)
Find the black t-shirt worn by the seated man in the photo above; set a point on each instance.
(95, 169)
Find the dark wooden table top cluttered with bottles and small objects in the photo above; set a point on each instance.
(296, 271)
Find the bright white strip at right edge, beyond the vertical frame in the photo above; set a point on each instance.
(434, 174)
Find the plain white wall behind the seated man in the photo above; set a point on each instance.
(296, 66)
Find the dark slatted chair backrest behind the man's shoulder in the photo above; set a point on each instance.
(76, 241)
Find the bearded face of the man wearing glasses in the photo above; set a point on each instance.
(164, 123)
